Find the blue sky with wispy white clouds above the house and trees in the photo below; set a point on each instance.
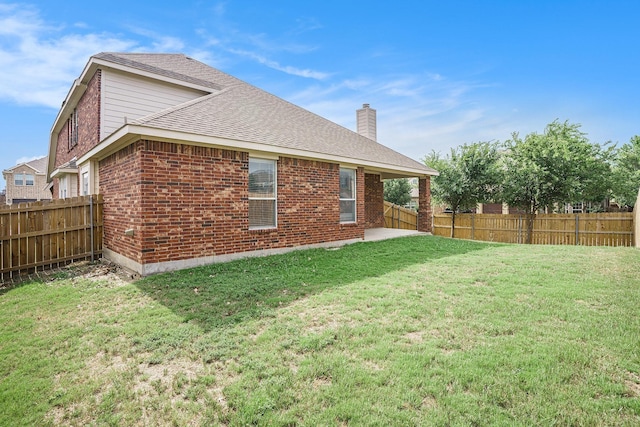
(439, 73)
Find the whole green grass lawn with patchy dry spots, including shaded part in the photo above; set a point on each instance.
(411, 331)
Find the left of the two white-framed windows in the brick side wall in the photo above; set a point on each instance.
(262, 193)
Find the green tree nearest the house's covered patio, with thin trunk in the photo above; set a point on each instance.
(470, 175)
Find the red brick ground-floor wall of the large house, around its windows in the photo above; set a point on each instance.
(188, 202)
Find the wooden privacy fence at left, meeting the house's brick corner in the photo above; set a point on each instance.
(45, 235)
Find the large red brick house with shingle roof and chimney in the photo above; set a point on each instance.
(196, 166)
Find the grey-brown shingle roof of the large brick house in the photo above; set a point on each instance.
(240, 111)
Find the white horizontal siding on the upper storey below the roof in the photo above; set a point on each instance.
(125, 95)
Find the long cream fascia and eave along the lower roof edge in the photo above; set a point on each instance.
(131, 132)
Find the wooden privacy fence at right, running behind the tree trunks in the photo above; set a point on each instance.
(595, 229)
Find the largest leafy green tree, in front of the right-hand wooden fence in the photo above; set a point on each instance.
(556, 167)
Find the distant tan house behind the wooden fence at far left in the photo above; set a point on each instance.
(27, 182)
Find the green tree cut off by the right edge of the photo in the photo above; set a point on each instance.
(626, 173)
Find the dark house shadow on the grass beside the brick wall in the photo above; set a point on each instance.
(220, 295)
